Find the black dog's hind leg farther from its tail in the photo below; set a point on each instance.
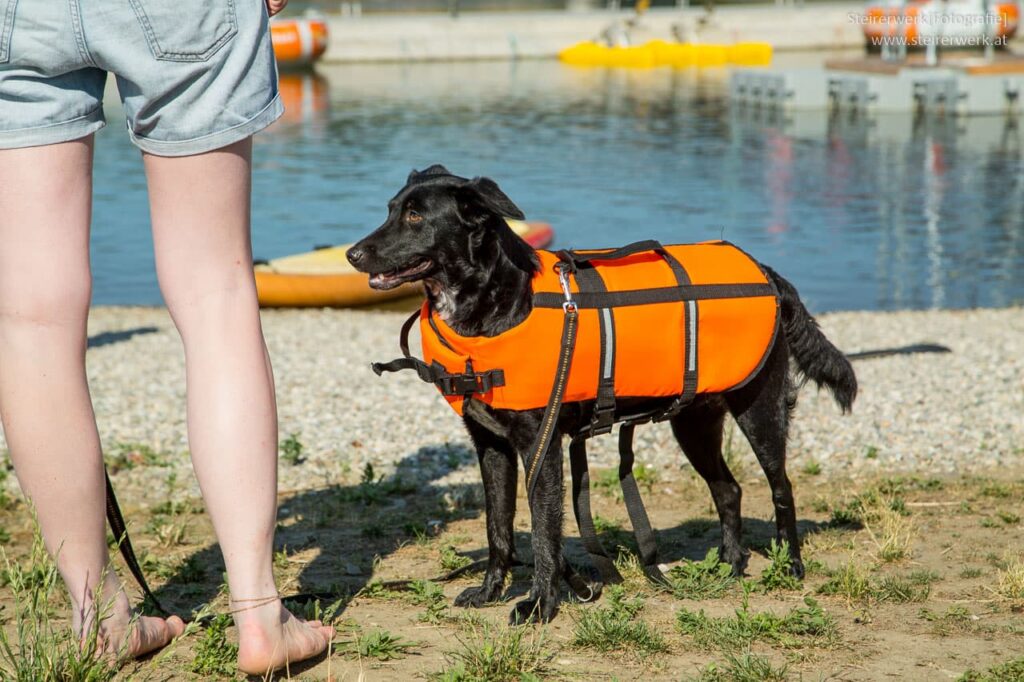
(699, 431)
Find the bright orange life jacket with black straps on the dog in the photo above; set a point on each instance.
(670, 322)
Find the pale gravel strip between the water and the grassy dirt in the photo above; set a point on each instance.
(950, 413)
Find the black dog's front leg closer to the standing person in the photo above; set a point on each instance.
(498, 470)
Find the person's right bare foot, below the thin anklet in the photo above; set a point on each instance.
(271, 638)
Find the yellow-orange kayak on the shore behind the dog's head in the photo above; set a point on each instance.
(324, 279)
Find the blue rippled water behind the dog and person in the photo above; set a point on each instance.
(885, 215)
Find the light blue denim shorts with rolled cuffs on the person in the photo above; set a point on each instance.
(193, 75)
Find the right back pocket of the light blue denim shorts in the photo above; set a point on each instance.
(186, 30)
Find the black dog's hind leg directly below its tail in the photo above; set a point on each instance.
(762, 411)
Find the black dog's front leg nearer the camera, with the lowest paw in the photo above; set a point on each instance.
(546, 510)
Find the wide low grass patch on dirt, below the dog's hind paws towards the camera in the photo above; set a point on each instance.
(803, 626)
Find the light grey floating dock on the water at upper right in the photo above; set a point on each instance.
(967, 87)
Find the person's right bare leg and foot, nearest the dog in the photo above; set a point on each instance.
(200, 208)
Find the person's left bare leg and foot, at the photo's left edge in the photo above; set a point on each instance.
(46, 288)
